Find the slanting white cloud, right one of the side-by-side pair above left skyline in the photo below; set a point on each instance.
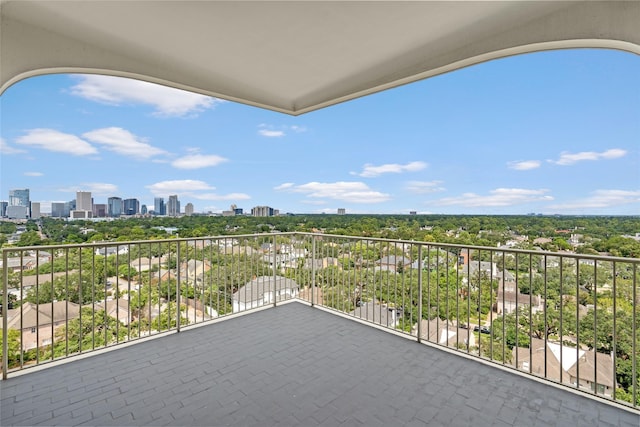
(123, 142)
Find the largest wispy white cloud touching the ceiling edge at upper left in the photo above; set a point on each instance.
(168, 102)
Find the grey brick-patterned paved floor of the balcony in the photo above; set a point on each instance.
(292, 365)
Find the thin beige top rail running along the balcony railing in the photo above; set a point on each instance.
(347, 237)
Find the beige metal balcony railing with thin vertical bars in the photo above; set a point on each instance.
(568, 318)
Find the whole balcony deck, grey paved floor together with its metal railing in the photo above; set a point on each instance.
(308, 329)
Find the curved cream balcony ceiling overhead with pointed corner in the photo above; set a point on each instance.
(294, 56)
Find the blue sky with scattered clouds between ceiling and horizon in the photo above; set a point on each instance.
(552, 132)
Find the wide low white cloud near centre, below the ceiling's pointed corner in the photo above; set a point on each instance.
(354, 192)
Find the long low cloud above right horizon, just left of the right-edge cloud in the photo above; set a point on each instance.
(498, 197)
